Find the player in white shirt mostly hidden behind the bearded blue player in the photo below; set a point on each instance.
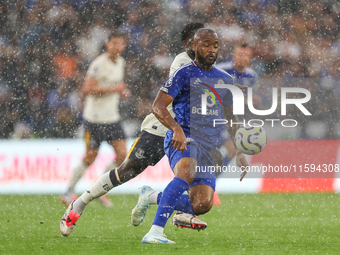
(147, 150)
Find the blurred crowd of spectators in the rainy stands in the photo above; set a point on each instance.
(47, 46)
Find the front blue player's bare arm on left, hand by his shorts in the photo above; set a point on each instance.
(159, 108)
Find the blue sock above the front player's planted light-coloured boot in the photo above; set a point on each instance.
(171, 194)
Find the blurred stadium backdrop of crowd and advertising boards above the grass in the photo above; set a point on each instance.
(46, 47)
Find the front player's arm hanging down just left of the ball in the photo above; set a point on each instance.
(240, 158)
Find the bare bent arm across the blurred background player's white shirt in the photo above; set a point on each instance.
(90, 87)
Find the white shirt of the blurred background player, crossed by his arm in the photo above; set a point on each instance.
(103, 109)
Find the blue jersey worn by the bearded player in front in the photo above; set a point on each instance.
(192, 88)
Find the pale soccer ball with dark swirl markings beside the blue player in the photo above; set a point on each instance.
(251, 140)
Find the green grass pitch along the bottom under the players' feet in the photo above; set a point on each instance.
(243, 224)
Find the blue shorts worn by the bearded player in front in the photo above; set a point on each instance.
(204, 175)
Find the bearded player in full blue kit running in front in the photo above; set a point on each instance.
(191, 135)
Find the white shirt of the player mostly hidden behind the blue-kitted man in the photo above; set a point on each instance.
(151, 124)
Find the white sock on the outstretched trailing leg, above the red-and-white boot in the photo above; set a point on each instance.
(99, 188)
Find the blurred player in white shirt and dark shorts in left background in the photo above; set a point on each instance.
(103, 87)
